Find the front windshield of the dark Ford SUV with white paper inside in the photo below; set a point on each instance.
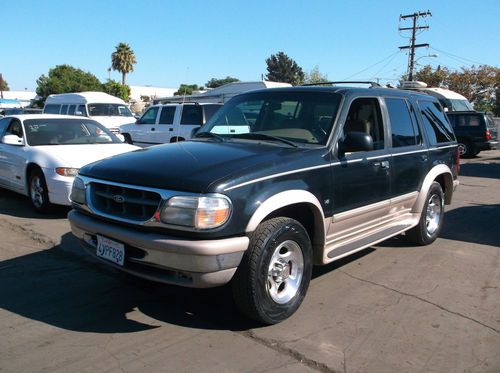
(301, 117)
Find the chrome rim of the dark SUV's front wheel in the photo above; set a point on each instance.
(285, 272)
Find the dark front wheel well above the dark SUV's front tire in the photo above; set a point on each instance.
(307, 215)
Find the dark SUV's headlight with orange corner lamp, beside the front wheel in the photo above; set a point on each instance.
(196, 212)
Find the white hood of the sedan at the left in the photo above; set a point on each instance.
(77, 156)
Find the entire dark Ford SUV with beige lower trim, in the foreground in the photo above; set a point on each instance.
(320, 173)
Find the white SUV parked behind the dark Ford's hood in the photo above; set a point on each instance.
(168, 123)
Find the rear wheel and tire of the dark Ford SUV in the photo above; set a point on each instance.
(431, 222)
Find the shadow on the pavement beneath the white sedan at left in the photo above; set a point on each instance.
(17, 205)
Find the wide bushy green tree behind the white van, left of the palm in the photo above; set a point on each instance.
(66, 79)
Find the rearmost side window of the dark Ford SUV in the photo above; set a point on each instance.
(436, 125)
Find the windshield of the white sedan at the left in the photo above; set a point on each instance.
(66, 132)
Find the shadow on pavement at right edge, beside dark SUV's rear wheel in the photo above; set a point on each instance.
(474, 223)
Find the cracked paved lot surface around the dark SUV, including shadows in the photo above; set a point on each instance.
(392, 308)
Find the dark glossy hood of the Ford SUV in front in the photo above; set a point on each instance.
(190, 166)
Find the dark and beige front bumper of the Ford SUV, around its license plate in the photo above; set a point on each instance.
(157, 257)
